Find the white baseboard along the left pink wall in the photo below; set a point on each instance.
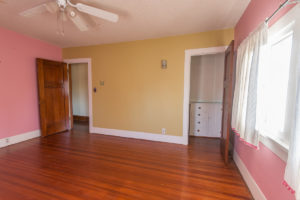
(19, 138)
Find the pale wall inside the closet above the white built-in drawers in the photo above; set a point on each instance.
(207, 74)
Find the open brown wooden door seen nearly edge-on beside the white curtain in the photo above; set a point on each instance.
(227, 101)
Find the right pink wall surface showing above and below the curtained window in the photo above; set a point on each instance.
(266, 168)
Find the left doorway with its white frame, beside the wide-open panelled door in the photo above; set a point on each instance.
(80, 93)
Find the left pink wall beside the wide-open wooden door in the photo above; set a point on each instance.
(18, 85)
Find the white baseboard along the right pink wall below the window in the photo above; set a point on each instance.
(253, 187)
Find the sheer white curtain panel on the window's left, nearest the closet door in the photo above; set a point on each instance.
(245, 93)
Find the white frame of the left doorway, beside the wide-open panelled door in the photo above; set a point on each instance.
(89, 62)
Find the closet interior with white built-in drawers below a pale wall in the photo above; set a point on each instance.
(207, 73)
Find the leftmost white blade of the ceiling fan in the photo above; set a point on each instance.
(42, 8)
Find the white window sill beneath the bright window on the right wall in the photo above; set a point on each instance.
(280, 149)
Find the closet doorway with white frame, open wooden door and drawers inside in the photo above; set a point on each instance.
(210, 105)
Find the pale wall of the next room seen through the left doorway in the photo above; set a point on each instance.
(80, 98)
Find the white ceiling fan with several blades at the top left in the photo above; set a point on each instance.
(65, 10)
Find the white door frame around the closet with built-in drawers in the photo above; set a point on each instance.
(187, 76)
